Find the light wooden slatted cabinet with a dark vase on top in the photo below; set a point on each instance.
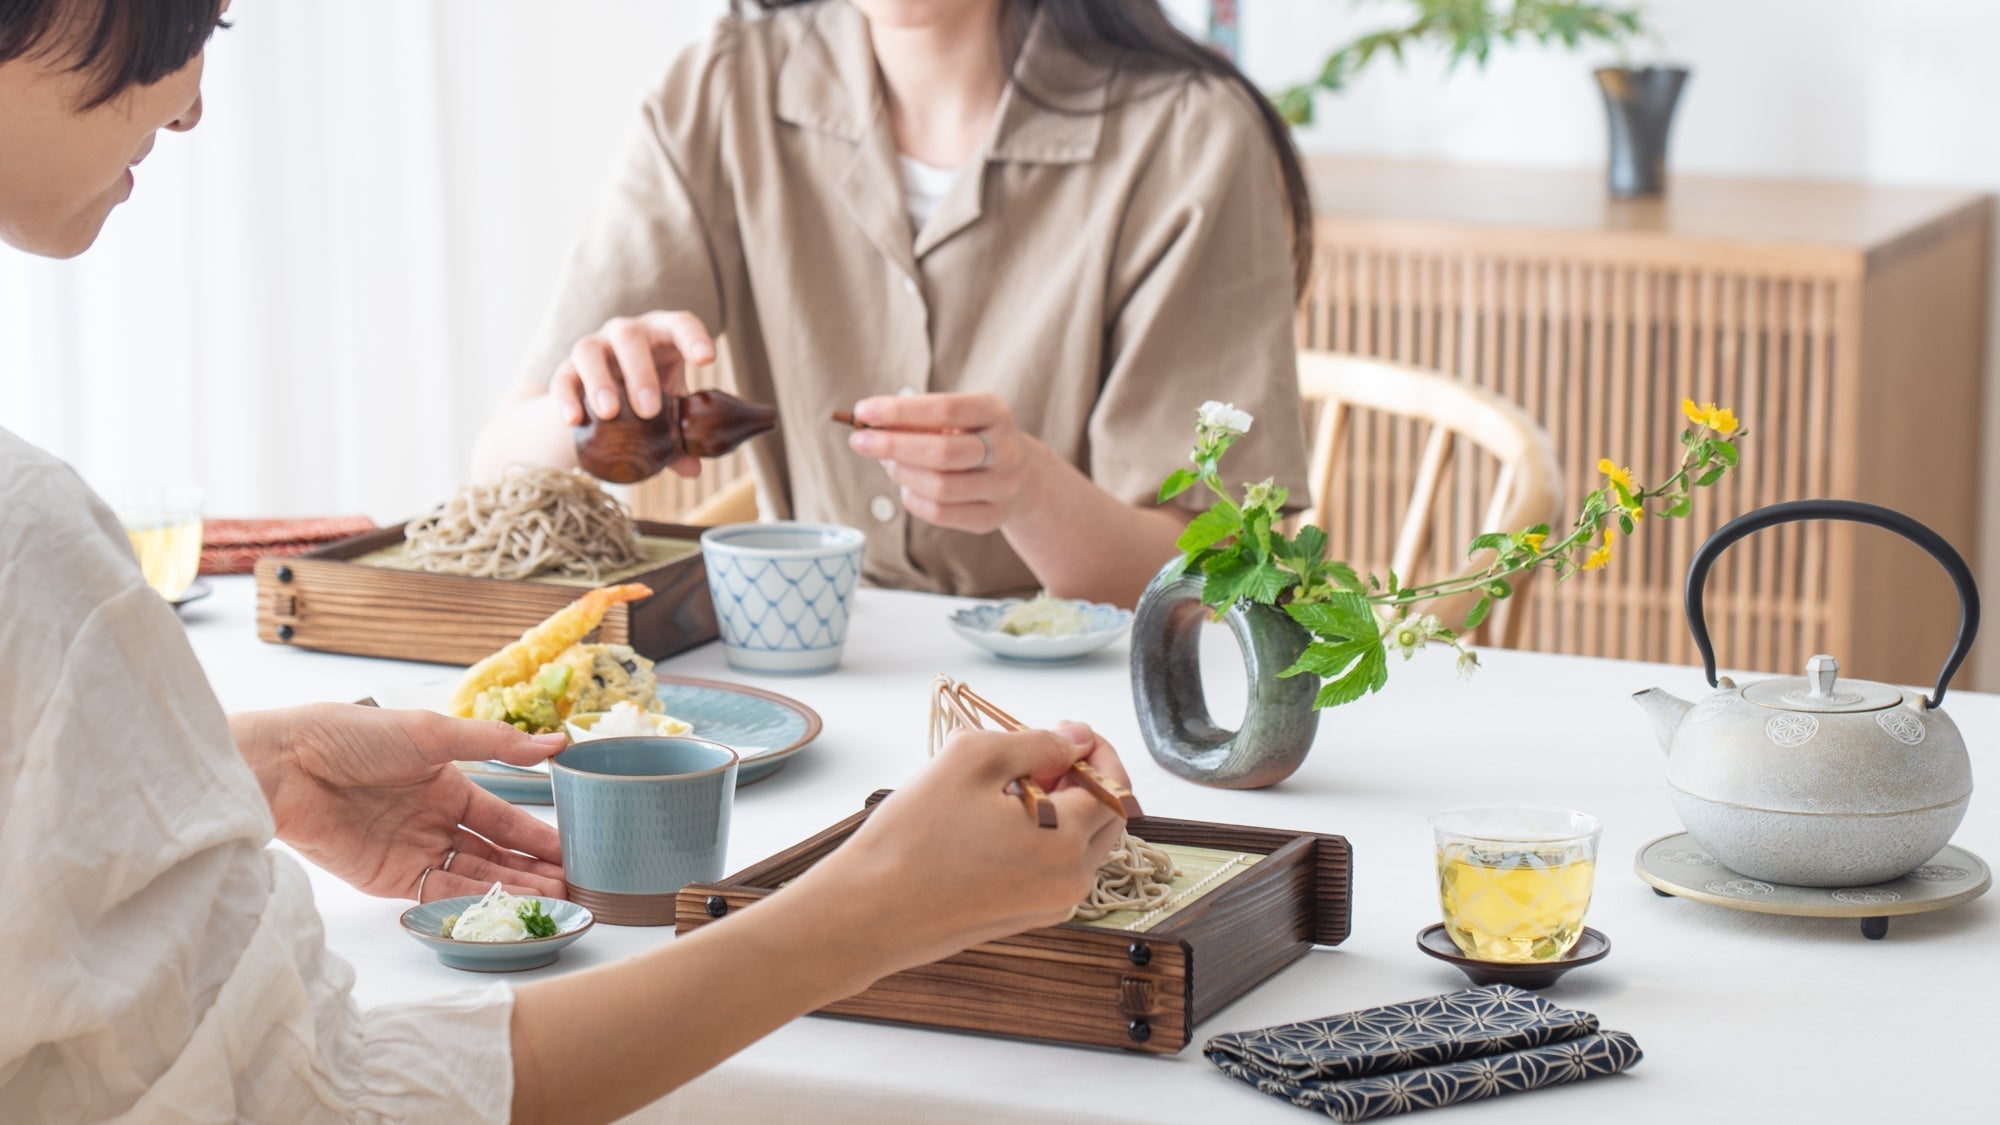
(1843, 323)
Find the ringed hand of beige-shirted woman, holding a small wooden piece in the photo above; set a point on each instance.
(961, 459)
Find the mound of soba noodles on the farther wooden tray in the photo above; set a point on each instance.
(533, 521)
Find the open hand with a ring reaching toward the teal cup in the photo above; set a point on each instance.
(373, 796)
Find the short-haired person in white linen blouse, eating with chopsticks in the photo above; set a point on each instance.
(165, 964)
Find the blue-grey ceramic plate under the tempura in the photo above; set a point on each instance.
(763, 728)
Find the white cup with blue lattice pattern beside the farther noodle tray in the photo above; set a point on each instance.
(783, 594)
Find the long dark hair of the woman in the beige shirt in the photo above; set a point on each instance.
(1139, 37)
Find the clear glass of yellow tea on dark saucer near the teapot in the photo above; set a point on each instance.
(1515, 880)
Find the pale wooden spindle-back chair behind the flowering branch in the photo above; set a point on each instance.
(1483, 465)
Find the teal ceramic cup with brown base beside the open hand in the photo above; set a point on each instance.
(639, 822)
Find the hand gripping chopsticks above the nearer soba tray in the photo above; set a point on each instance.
(953, 860)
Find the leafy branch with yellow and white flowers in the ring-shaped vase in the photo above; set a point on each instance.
(1359, 620)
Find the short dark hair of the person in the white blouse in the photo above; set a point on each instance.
(117, 43)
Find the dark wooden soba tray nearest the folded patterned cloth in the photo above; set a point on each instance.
(1091, 984)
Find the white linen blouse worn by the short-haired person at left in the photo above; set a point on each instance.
(163, 962)
